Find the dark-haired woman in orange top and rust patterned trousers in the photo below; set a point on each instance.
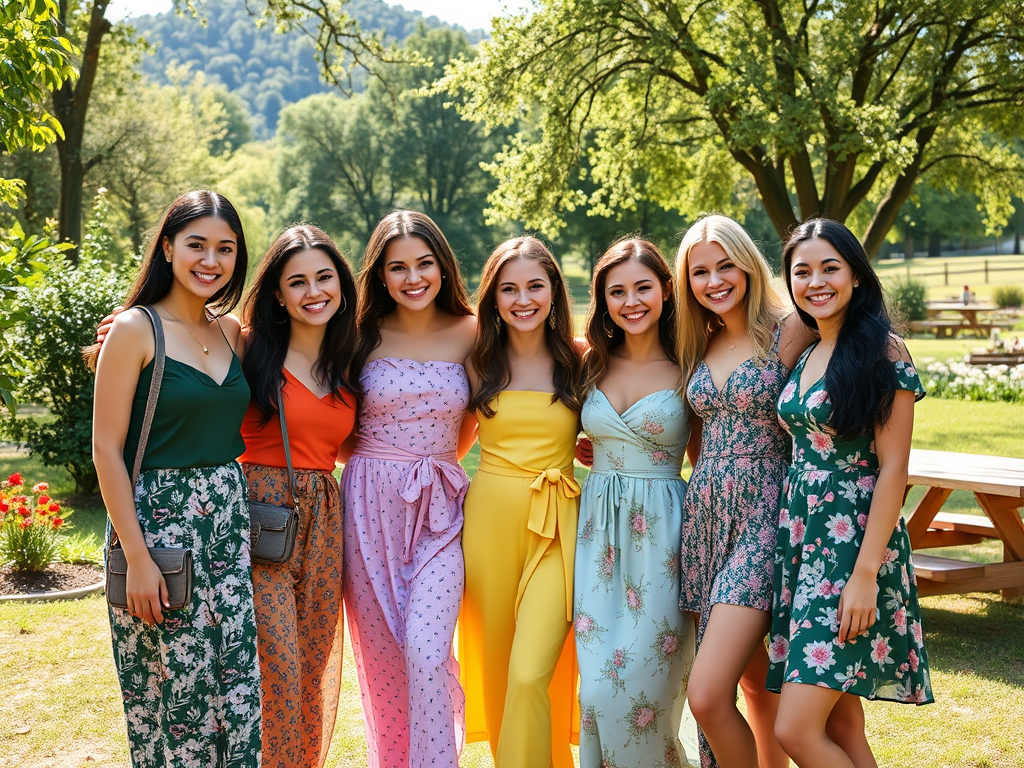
(300, 317)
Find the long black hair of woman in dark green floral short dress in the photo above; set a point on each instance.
(861, 378)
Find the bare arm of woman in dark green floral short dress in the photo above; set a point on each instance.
(858, 605)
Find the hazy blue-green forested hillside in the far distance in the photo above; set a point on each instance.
(268, 70)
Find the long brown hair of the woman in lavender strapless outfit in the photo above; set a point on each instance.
(375, 302)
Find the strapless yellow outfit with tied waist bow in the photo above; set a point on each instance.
(517, 653)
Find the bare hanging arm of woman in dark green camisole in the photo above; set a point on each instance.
(129, 349)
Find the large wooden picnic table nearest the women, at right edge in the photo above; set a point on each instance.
(998, 485)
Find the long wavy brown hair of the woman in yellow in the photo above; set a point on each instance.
(491, 351)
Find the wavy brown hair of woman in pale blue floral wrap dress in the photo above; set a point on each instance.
(602, 345)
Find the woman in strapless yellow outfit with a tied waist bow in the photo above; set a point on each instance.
(516, 649)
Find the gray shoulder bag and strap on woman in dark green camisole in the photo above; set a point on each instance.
(175, 563)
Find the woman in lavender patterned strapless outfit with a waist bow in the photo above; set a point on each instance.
(404, 491)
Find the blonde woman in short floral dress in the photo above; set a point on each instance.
(738, 342)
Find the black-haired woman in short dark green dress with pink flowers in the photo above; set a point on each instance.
(845, 619)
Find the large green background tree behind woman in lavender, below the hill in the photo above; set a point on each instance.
(347, 163)
